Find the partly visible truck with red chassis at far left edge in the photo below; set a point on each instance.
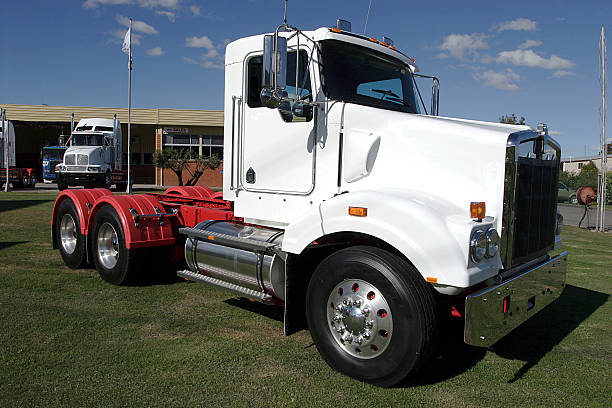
(19, 177)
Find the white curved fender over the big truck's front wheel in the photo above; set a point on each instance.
(424, 230)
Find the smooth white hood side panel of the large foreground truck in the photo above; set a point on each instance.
(451, 161)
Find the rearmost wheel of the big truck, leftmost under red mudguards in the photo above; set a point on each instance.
(71, 242)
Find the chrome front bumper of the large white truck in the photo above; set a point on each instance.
(495, 311)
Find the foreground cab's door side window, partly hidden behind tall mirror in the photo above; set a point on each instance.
(303, 88)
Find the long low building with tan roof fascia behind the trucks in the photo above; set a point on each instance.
(199, 131)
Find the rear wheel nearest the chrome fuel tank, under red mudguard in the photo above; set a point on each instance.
(118, 264)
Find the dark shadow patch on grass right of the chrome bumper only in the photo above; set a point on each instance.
(536, 337)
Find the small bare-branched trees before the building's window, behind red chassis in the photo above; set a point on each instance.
(181, 160)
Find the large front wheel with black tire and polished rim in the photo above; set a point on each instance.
(393, 354)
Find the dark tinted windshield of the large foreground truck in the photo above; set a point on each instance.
(360, 75)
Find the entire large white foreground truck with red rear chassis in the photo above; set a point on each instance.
(326, 213)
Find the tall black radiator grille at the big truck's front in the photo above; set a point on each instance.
(536, 204)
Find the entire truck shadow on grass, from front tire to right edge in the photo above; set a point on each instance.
(529, 342)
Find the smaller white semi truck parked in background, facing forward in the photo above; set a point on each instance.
(94, 156)
